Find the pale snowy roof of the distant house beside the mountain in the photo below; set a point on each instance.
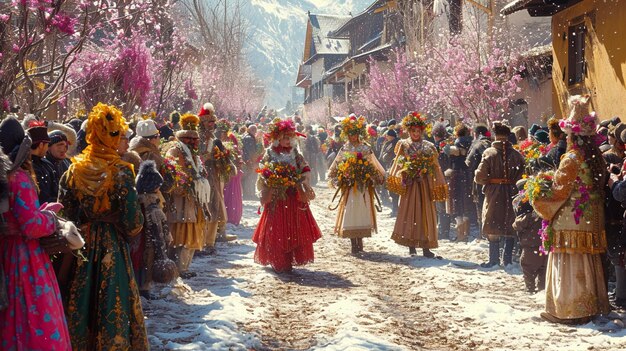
(324, 43)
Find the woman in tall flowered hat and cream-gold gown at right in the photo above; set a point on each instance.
(574, 230)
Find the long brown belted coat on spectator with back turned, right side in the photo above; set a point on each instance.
(498, 175)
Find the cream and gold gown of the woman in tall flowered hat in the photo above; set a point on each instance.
(575, 286)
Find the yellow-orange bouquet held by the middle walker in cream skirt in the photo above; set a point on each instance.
(355, 171)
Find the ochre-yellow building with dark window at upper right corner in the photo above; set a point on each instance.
(588, 57)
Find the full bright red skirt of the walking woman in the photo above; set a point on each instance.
(285, 234)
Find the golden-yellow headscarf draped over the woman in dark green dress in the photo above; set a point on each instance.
(93, 171)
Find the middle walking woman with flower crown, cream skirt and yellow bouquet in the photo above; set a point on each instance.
(355, 172)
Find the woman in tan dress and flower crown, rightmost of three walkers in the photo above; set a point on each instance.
(417, 168)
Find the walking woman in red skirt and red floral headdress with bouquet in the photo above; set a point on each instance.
(287, 230)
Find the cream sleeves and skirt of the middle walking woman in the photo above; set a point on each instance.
(357, 215)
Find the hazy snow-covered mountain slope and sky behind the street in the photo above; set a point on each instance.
(278, 29)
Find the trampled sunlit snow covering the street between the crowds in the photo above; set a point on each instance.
(383, 300)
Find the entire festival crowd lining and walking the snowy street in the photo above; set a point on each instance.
(96, 210)
